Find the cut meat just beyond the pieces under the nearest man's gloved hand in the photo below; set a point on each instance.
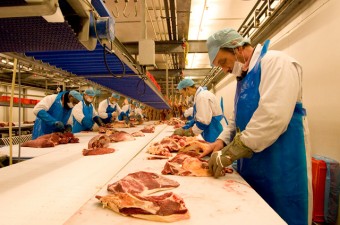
(176, 143)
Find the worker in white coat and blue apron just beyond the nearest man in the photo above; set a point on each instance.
(209, 120)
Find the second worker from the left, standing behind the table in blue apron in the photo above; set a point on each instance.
(84, 114)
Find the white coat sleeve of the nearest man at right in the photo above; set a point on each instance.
(279, 90)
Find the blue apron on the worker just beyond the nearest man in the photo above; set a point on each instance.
(212, 131)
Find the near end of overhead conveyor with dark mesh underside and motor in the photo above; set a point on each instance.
(22, 31)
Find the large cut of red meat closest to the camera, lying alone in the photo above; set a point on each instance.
(130, 197)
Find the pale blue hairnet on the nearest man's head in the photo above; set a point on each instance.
(226, 38)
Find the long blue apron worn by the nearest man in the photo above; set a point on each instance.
(281, 183)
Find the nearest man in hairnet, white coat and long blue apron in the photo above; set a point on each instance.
(272, 144)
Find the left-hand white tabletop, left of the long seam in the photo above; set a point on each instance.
(51, 187)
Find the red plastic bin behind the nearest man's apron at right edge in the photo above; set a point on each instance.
(319, 170)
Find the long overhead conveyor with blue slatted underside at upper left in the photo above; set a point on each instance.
(76, 47)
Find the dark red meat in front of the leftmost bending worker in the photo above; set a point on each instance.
(51, 140)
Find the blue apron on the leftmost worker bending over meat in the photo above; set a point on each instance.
(58, 112)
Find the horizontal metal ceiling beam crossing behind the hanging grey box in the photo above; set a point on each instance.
(168, 47)
